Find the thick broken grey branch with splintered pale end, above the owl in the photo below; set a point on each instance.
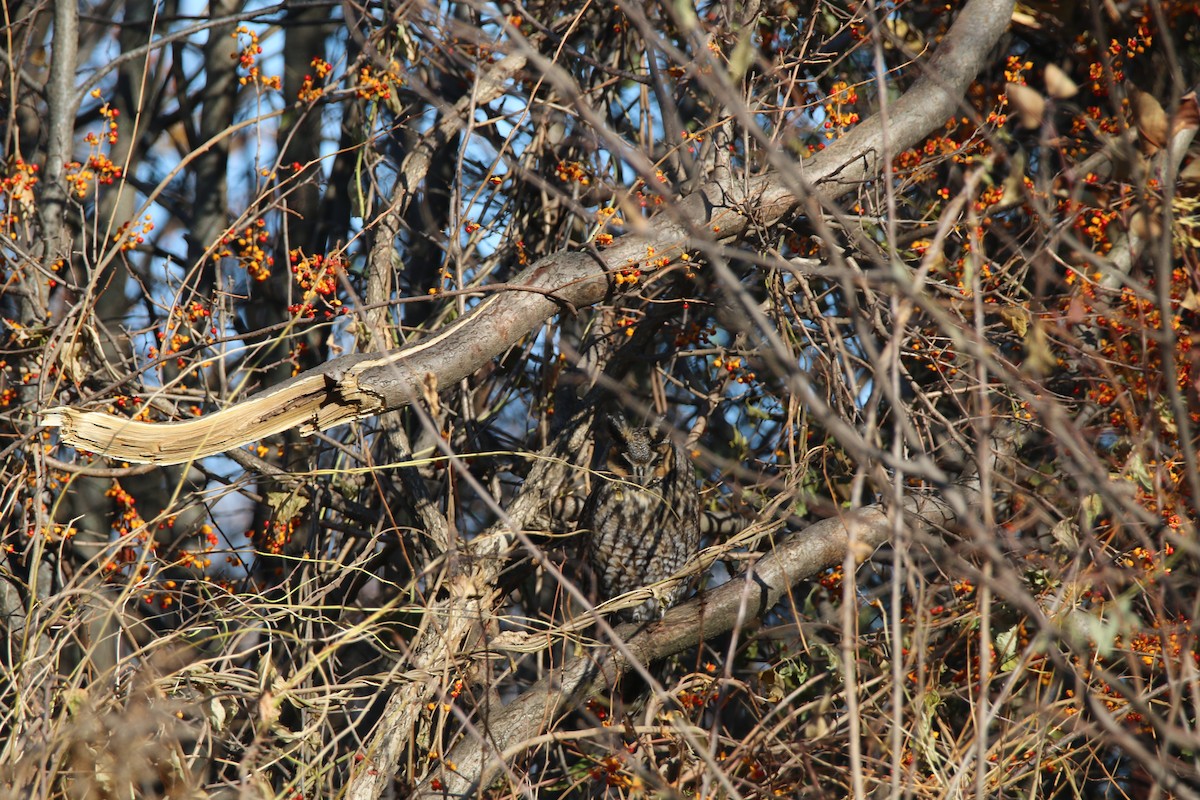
(364, 386)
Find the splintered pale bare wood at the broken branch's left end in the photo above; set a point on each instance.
(302, 402)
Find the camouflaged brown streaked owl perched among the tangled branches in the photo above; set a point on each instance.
(643, 515)
